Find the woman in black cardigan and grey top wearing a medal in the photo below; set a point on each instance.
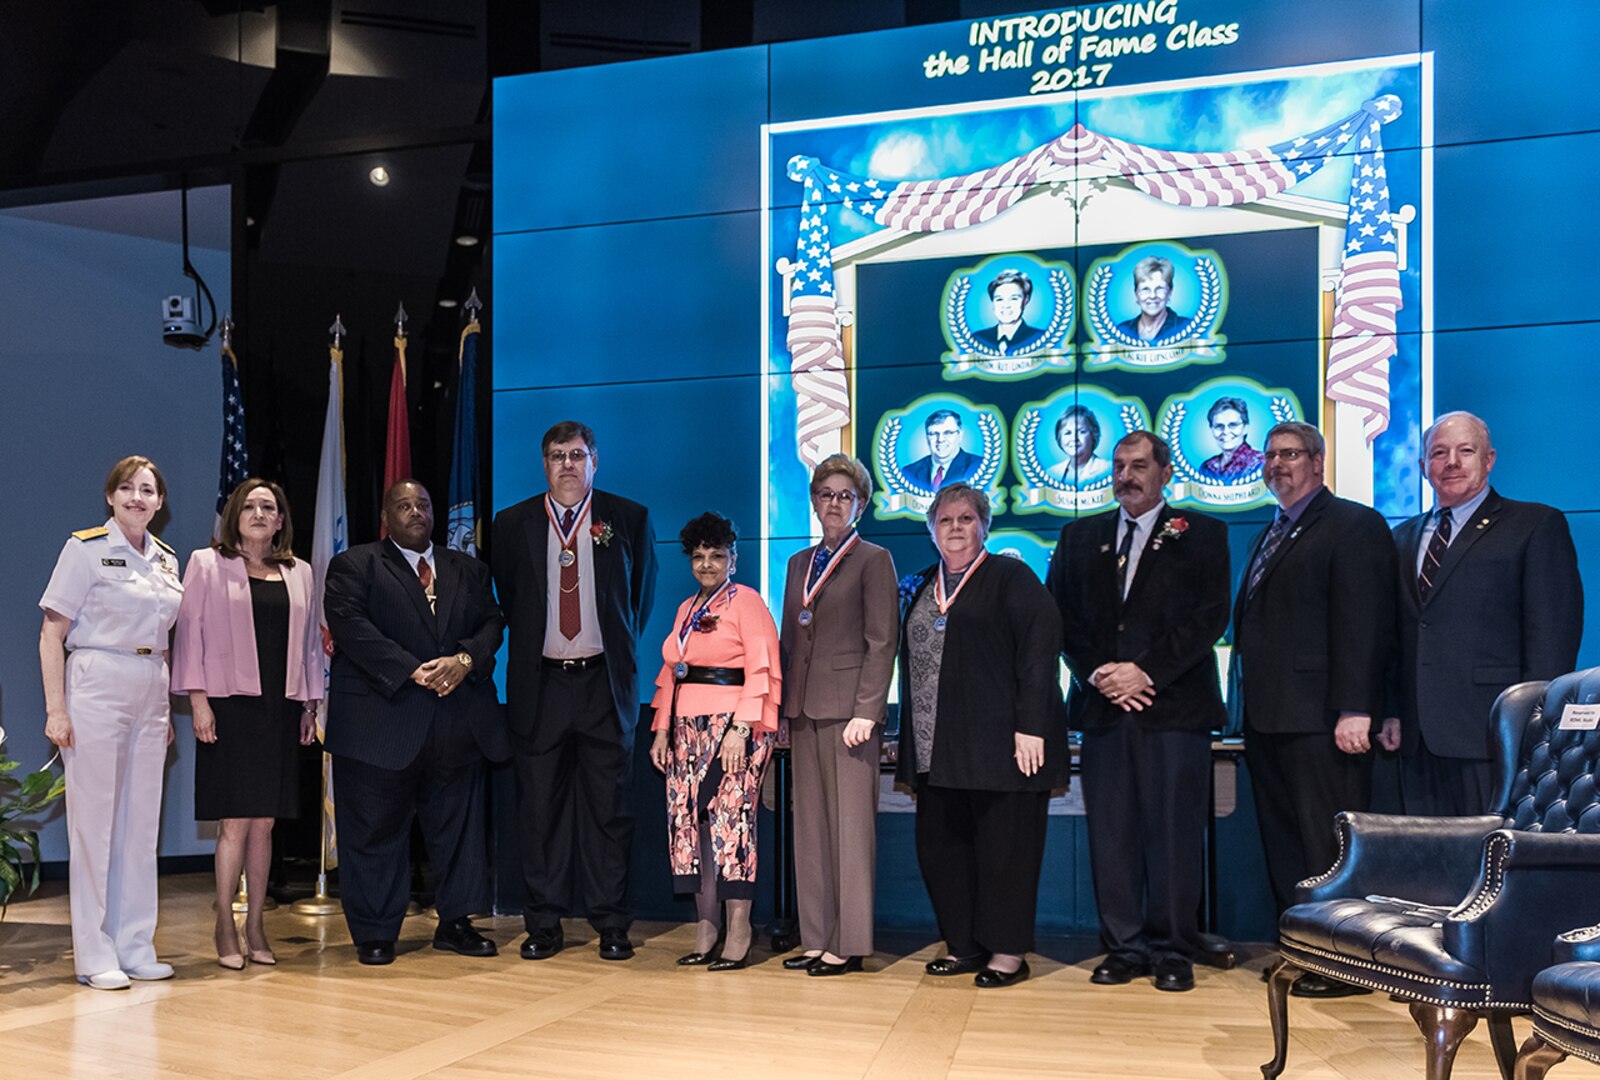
(983, 738)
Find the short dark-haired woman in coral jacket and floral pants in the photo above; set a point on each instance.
(716, 718)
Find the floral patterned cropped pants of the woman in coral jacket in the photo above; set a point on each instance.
(727, 802)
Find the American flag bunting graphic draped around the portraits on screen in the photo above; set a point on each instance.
(1369, 294)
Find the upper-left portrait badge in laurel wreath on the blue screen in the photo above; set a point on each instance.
(1009, 318)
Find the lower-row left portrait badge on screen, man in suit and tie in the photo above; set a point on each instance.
(937, 441)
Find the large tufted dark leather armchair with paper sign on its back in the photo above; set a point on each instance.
(1457, 914)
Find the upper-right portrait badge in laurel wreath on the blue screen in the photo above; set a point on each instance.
(1154, 306)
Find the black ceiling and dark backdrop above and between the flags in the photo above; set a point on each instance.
(290, 105)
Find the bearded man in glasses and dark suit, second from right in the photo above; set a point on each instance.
(1314, 630)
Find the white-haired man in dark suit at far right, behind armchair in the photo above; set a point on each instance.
(1490, 598)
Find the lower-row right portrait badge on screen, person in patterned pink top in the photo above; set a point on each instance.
(1218, 431)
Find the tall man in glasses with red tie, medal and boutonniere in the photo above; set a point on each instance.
(577, 577)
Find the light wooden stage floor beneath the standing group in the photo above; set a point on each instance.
(321, 1015)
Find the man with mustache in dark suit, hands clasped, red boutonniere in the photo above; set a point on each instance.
(1145, 596)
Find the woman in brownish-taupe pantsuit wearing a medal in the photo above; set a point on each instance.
(841, 631)
